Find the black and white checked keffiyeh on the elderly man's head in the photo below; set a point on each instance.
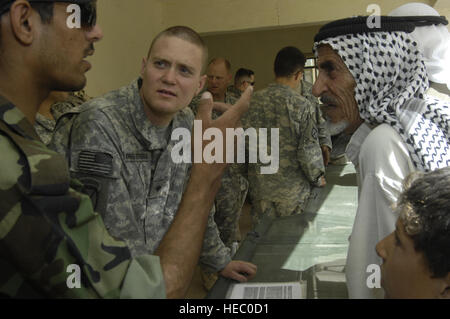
(391, 83)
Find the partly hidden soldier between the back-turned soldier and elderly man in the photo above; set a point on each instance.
(324, 134)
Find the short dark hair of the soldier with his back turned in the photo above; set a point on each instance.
(289, 61)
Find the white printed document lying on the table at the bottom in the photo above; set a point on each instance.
(268, 290)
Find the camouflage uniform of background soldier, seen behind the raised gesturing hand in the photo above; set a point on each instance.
(233, 190)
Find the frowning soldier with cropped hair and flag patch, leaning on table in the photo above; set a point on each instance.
(120, 147)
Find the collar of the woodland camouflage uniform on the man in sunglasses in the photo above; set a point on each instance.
(16, 120)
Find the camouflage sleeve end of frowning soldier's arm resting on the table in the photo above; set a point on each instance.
(215, 255)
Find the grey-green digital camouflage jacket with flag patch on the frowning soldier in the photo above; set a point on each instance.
(126, 163)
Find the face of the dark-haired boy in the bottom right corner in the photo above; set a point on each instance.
(404, 271)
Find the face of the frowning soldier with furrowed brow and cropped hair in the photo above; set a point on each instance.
(171, 77)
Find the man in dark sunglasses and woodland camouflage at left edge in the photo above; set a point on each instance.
(46, 225)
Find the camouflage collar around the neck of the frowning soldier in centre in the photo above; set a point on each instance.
(152, 134)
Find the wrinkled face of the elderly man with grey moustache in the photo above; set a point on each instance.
(336, 88)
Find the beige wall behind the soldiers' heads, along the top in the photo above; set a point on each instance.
(248, 32)
